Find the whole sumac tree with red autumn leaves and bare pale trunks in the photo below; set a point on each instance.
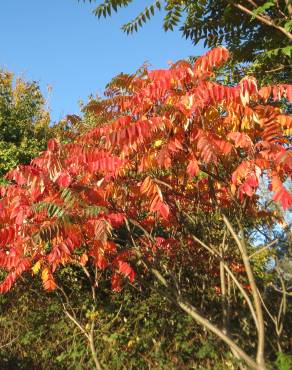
(170, 146)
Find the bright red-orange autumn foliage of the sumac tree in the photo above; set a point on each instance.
(178, 140)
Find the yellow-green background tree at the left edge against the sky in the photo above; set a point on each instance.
(24, 121)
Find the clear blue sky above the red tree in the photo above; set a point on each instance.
(60, 43)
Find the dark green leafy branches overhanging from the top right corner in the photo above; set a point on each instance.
(256, 32)
